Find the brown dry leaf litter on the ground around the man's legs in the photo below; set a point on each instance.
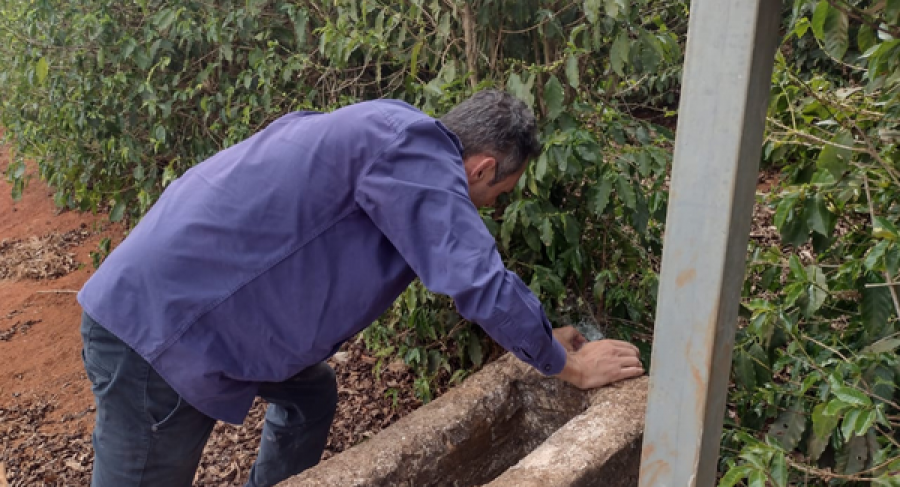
(37, 451)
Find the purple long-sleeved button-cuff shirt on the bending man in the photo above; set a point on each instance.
(263, 259)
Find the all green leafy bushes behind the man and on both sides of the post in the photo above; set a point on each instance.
(115, 100)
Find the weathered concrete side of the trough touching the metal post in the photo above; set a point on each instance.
(578, 453)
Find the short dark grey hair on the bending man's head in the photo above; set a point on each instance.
(497, 124)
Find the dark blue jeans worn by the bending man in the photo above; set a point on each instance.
(145, 434)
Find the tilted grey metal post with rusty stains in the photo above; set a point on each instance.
(725, 91)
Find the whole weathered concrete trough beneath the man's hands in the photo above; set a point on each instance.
(505, 426)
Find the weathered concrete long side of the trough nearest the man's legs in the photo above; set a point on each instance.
(412, 441)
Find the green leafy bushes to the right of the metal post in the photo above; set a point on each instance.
(816, 366)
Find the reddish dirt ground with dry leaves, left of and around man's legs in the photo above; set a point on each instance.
(46, 406)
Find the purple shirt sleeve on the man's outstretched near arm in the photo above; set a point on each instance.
(416, 192)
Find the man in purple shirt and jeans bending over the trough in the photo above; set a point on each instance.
(257, 264)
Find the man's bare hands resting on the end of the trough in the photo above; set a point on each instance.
(595, 364)
